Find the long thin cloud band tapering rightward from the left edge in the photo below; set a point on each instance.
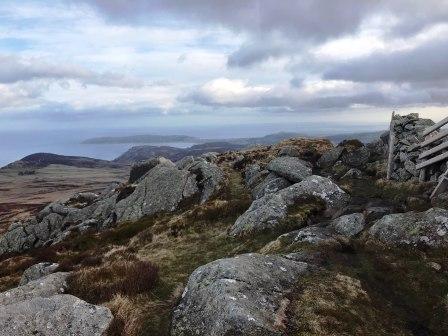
(14, 69)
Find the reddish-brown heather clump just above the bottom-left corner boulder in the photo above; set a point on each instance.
(100, 284)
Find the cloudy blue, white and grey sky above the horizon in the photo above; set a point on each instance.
(159, 63)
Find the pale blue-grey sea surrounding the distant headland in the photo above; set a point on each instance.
(16, 144)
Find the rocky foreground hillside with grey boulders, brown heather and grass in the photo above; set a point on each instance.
(298, 238)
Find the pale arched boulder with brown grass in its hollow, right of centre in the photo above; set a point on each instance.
(268, 212)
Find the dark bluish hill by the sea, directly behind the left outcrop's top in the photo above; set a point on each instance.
(140, 153)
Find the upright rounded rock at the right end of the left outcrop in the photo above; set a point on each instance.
(209, 177)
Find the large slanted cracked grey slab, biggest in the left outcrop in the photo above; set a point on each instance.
(162, 189)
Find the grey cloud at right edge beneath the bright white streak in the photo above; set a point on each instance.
(426, 63)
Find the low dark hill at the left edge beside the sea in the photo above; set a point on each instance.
(41, 160)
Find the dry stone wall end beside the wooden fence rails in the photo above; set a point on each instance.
(408, 131)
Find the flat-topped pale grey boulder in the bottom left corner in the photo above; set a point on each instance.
(54, 316)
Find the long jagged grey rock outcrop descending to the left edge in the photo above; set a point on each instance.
(159, 186)
